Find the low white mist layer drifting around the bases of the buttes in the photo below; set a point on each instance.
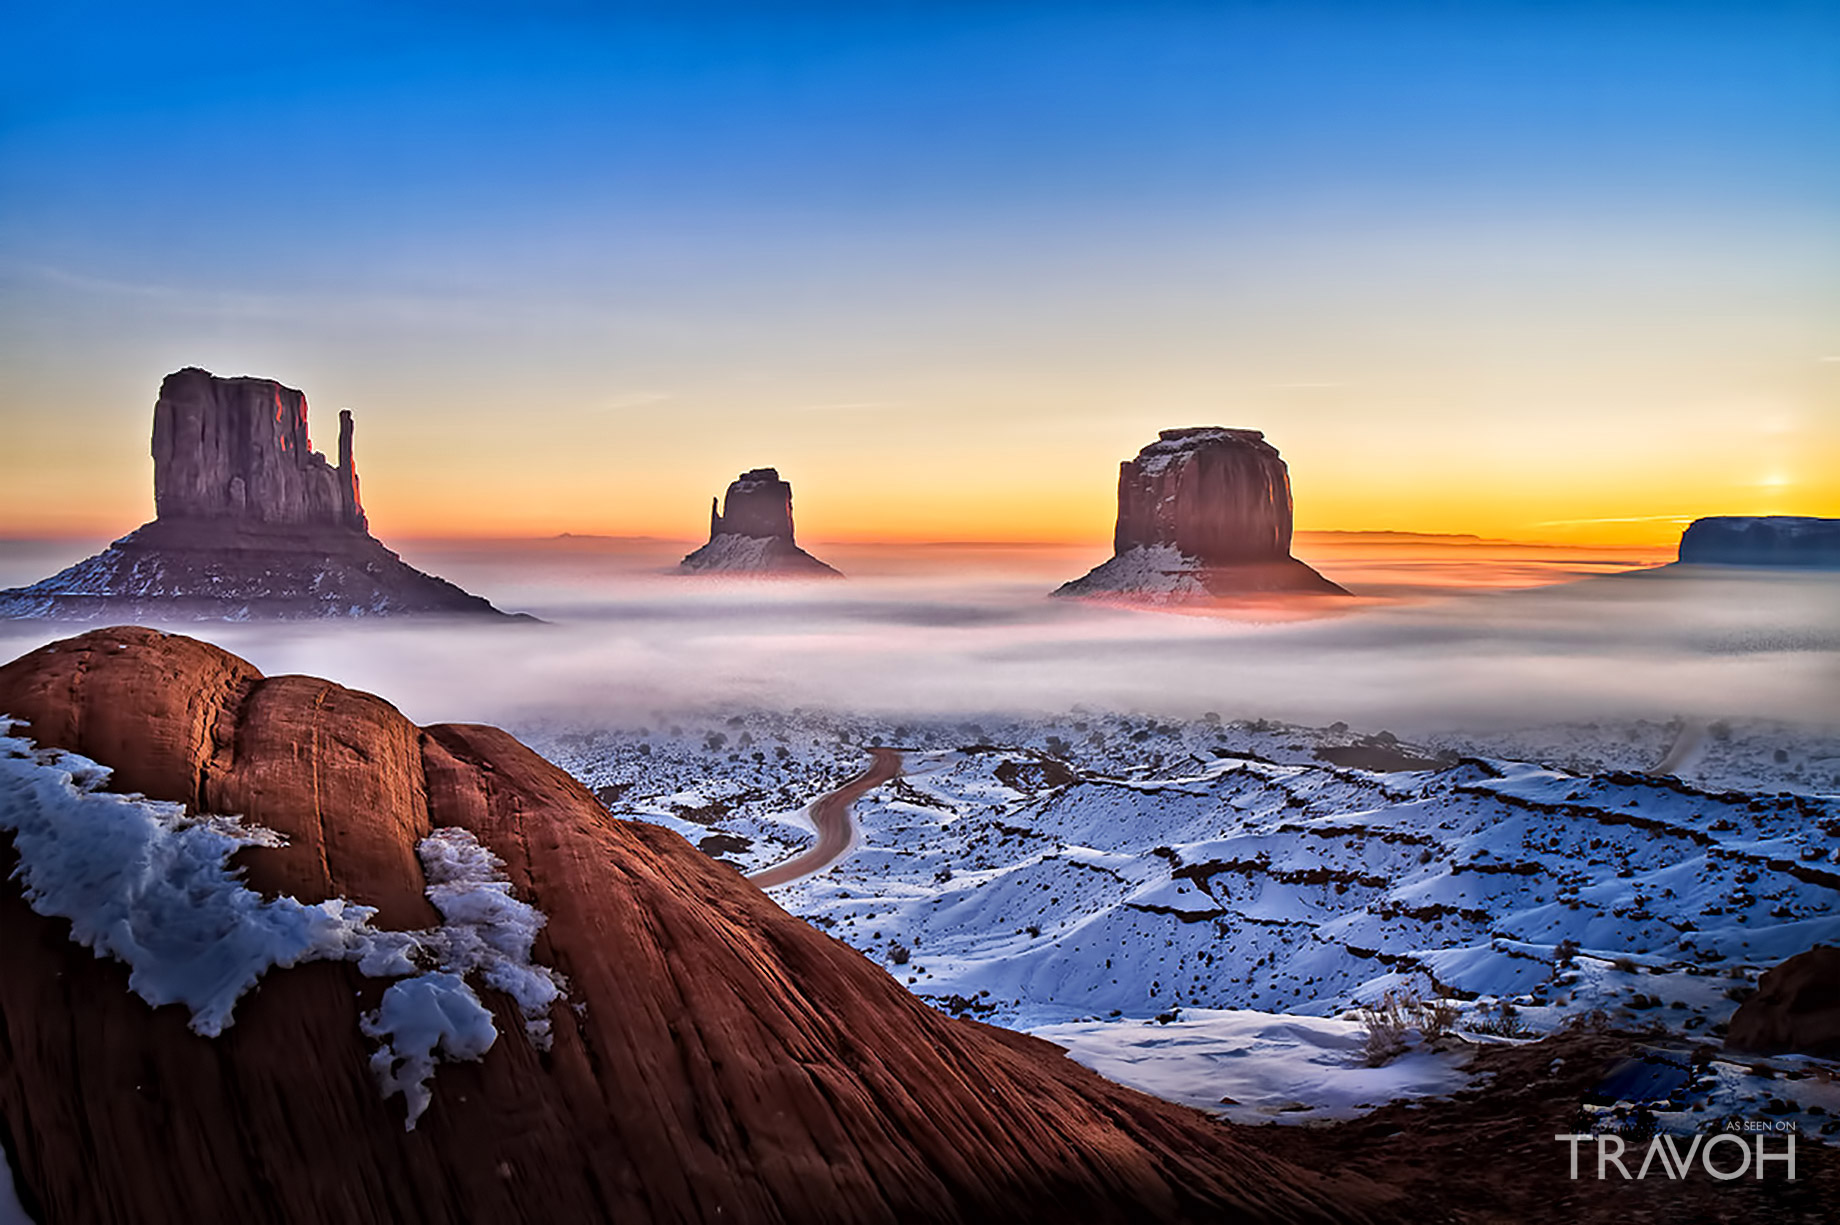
(971, 630)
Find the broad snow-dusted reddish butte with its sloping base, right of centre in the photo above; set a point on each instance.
(1202, 514)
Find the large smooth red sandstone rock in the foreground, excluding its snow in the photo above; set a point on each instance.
(717, 1060)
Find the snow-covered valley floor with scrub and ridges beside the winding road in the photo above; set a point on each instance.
(1202, 908)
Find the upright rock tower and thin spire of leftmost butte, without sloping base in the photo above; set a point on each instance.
(238, 450)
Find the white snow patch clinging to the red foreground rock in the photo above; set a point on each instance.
(152, 887)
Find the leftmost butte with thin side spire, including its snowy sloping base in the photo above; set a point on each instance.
(249, 525)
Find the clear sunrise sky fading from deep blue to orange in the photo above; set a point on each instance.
(1534, 271)
